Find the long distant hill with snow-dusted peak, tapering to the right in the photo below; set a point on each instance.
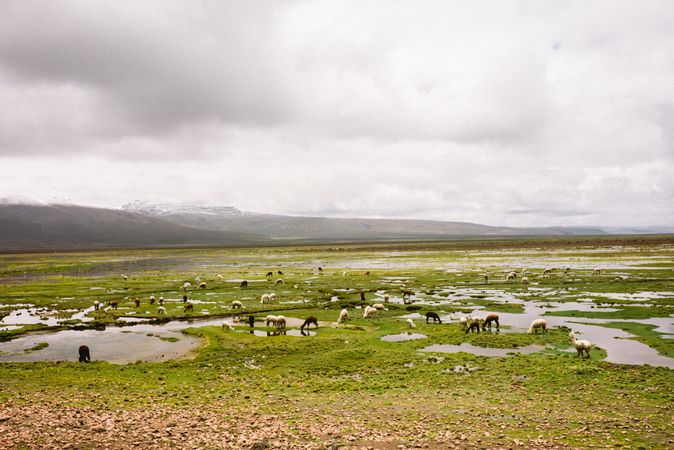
(333, 229)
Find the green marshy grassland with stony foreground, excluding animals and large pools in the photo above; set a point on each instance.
(345, 387)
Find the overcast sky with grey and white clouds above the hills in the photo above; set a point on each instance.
(517, 113)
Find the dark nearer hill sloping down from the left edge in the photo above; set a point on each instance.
(37, 227)
